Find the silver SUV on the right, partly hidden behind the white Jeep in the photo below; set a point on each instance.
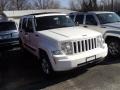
(108, 23)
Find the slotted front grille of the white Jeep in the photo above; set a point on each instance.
(84, 45)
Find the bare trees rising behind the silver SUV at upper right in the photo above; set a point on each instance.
(95, 5)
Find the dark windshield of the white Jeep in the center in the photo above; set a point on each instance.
(52, 22)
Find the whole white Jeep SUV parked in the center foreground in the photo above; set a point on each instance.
(59, 45)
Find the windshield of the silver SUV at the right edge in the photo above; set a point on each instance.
(108, 18)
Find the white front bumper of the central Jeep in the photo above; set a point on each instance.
(65, 62)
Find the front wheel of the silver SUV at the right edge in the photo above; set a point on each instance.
(113, 47)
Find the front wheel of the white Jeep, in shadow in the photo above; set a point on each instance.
(46, 65)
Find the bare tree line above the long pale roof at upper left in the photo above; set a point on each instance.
(28, 4)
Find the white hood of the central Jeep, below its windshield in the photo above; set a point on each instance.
(70, 33)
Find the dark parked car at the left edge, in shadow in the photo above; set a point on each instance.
(8, 35)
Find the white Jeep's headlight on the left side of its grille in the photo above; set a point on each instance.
(67, 47)
